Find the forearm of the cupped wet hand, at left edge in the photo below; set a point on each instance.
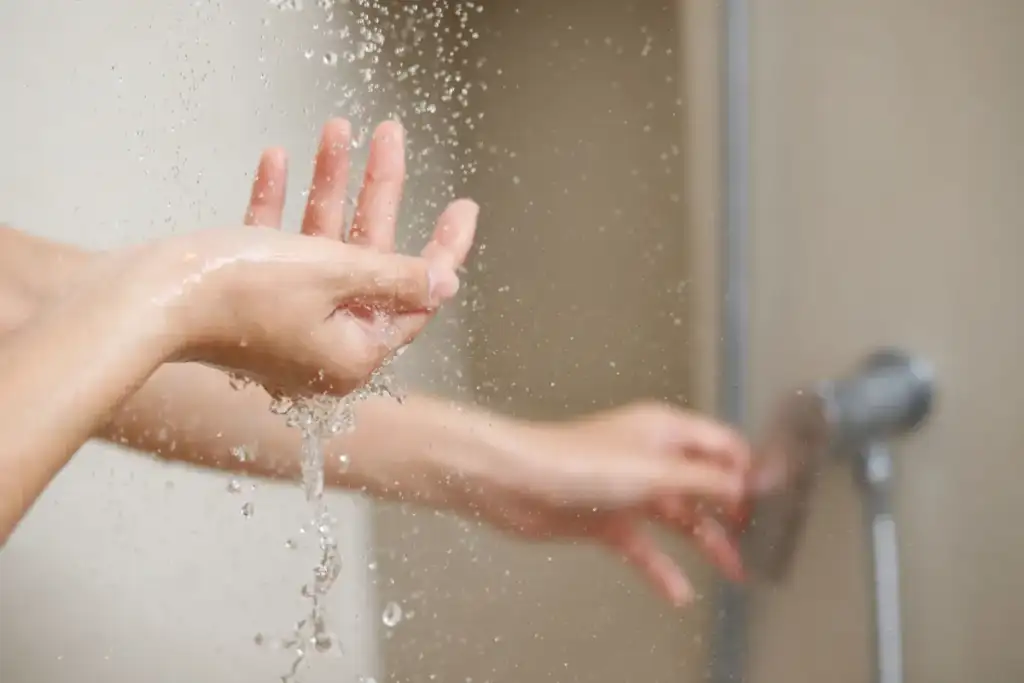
(64, 373)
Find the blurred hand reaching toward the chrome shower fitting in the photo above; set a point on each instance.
(607, 477)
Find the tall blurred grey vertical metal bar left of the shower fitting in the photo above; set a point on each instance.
(730, 641)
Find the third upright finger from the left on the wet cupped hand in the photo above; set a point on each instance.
(377, 209)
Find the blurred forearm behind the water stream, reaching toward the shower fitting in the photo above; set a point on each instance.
(190, 413)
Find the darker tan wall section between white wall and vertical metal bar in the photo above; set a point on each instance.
(580, 301)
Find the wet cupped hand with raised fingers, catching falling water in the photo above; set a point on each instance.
(364, 328)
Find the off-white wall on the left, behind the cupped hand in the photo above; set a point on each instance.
(122, 122)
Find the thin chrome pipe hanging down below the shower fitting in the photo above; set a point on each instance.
(877, 473)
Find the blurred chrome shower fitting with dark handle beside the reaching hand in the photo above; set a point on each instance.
(889, 395)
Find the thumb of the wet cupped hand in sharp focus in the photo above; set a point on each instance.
(394, 283)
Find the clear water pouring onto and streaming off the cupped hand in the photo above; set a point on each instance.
(407, 61)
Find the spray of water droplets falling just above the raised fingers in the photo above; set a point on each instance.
(409, 61)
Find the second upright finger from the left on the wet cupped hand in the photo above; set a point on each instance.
(326, 207)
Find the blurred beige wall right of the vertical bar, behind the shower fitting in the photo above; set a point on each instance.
(888, 165)
